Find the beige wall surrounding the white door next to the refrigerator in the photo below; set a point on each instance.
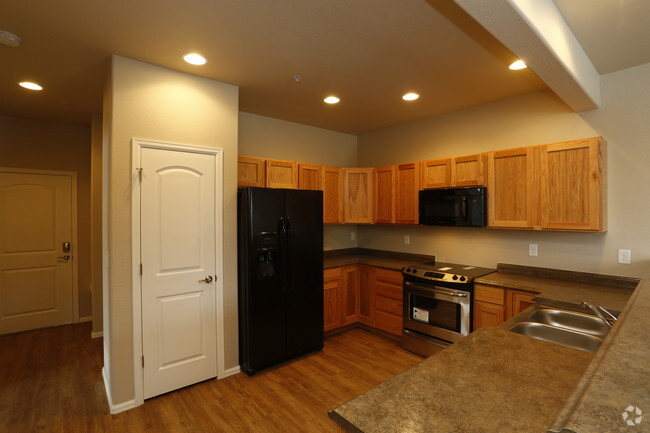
(160, 104)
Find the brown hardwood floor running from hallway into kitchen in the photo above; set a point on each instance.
(50, 381)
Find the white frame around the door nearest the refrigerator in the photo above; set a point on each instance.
(137, 144)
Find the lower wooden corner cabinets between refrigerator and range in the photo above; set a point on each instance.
(363, 294)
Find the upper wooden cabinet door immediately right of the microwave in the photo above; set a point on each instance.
(512, 188)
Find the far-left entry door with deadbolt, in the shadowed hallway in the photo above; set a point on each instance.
(36, 281)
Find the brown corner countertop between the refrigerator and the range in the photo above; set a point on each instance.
(381, 259)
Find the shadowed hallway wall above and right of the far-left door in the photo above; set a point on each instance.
(37, 144)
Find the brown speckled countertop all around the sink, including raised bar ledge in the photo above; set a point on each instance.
(497, 381)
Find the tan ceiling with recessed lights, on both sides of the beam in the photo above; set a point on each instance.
(368, 52)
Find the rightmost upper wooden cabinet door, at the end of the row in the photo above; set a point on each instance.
(572, 185)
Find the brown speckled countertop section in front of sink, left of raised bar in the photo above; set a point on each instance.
(470, 387)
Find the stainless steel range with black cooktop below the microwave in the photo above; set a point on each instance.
(438, 300)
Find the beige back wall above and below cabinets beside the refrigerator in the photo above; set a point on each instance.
(278, 139)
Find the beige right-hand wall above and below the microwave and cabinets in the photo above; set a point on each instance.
(535, 118)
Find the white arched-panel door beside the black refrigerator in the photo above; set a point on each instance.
(178, 209)
